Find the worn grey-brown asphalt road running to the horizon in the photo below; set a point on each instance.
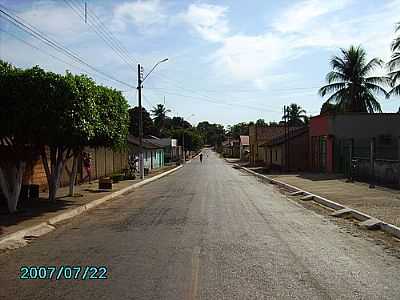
(207, 231)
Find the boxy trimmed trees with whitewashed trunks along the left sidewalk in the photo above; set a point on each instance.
(53, 116)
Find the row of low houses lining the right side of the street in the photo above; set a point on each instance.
(366, 145)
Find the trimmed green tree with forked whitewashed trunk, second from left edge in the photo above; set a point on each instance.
(62, 114)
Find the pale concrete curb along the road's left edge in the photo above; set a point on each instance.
(18, 238)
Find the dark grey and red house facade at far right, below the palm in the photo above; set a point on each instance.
(336, 139)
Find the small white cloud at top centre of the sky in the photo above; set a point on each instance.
(208, 20)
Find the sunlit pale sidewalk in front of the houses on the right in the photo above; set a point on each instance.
(382, 203)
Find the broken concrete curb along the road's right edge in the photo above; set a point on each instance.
(360, 216)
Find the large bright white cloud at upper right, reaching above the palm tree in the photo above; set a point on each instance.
(303, 27)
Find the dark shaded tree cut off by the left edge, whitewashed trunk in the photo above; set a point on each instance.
(18, 119)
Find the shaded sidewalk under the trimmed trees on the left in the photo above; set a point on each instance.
(41, 210)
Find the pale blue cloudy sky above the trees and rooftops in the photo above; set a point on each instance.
(228, 61)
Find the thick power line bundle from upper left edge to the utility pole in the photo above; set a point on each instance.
(34, 32)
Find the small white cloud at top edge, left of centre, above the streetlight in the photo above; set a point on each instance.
(142, 14)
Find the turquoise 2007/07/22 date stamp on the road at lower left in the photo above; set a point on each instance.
(63, 272)
